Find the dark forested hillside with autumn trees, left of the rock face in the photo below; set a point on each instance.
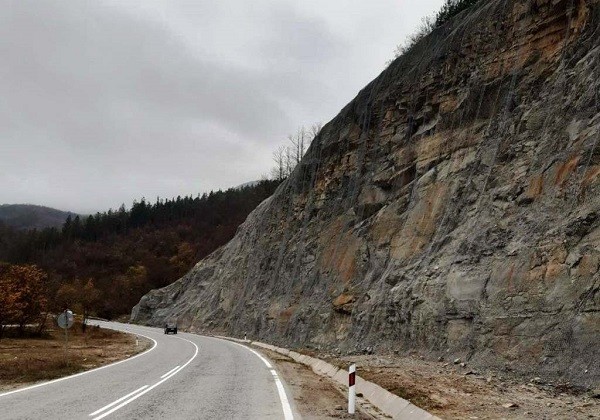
(102, 264)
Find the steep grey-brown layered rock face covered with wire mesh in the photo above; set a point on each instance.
(453, 208)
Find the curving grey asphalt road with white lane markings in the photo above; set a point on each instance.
(183, 376)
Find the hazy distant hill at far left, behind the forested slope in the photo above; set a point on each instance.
(28, 216)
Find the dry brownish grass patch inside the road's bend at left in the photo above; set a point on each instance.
(32, 359)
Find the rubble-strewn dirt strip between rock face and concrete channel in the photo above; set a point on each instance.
(454, 390)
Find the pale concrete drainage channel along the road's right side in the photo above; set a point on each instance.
(388, 403)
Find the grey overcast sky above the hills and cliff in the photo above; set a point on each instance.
(103, 102)
